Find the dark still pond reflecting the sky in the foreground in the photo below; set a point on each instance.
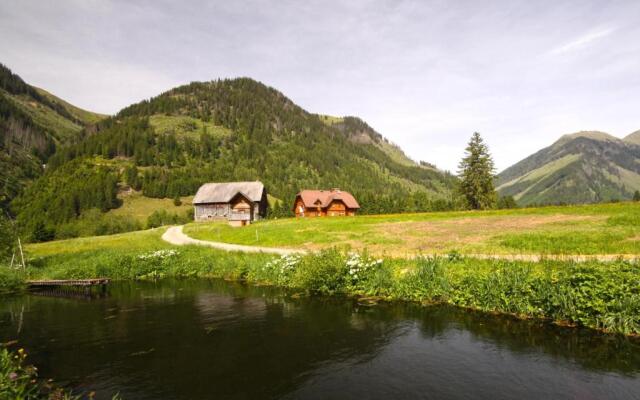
(211, 339)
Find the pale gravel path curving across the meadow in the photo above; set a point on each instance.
(174, 235)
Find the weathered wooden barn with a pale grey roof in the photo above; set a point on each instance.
(240, 203)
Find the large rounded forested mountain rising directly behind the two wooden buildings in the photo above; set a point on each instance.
(228, 130)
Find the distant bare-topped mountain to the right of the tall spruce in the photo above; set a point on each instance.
(582, 167)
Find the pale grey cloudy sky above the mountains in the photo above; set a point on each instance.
(425, 74)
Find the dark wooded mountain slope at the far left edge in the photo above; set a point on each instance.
(33, 123)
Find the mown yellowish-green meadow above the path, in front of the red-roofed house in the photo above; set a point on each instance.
(588, 229)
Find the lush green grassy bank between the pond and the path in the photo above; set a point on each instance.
(598, 295)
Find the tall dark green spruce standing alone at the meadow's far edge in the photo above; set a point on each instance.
(476, 173)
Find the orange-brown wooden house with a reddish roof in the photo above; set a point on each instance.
(322, 203)
